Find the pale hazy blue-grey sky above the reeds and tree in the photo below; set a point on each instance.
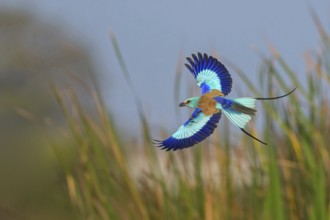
(151, 35)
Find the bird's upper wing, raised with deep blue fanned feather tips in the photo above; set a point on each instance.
(209, 73)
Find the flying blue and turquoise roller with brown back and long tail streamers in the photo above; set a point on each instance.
(215, 81)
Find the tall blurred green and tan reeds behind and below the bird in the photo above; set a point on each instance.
(221, 178)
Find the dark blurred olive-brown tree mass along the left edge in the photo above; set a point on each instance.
(32, 53)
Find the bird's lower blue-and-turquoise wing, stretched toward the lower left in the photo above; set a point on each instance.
(196, 129)
